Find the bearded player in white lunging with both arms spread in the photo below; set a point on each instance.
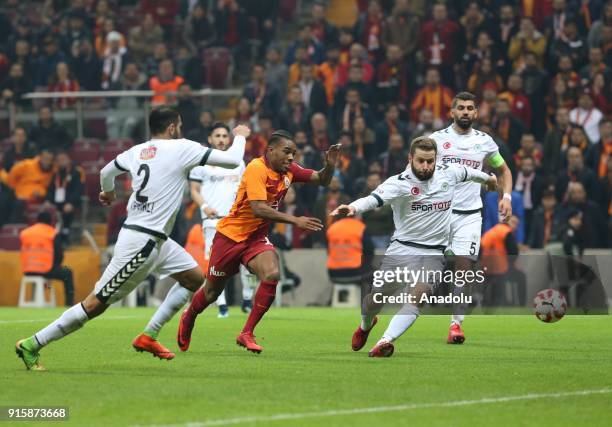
(421, 202)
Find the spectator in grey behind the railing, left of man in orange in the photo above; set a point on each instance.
(124, 116)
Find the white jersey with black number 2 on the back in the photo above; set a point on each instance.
(159, 170)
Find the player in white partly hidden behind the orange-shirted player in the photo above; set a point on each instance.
(214, 191)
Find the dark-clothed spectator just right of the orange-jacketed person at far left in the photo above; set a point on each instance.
(65, 191)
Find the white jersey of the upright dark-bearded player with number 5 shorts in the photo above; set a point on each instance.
(469, 150)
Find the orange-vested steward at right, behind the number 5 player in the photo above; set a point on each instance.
(499, 249)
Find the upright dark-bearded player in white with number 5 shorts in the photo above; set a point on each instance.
(461, 144)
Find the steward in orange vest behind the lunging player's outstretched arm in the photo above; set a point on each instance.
(349, 250)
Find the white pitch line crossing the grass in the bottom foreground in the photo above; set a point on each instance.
(378, 409)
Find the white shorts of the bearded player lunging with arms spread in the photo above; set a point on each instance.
(429, 262)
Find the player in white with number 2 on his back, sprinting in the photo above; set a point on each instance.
(159, 171)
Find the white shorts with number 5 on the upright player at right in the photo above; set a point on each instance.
(464, 238)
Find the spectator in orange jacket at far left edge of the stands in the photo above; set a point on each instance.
(30, 178)
